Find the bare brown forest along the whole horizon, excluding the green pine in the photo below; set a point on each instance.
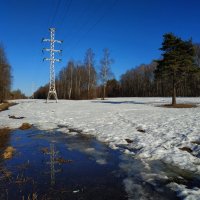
(83, 81)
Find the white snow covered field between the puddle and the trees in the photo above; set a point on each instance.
(153, 132)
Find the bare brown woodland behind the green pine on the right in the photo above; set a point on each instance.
(140, 82)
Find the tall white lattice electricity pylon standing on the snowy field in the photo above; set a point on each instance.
(52, 59)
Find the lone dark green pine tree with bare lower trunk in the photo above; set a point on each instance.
(177, 62)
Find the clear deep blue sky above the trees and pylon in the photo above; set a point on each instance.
(131, 29)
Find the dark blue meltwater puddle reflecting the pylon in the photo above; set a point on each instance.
(52, 165)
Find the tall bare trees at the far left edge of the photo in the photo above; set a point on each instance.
(5, 75)
